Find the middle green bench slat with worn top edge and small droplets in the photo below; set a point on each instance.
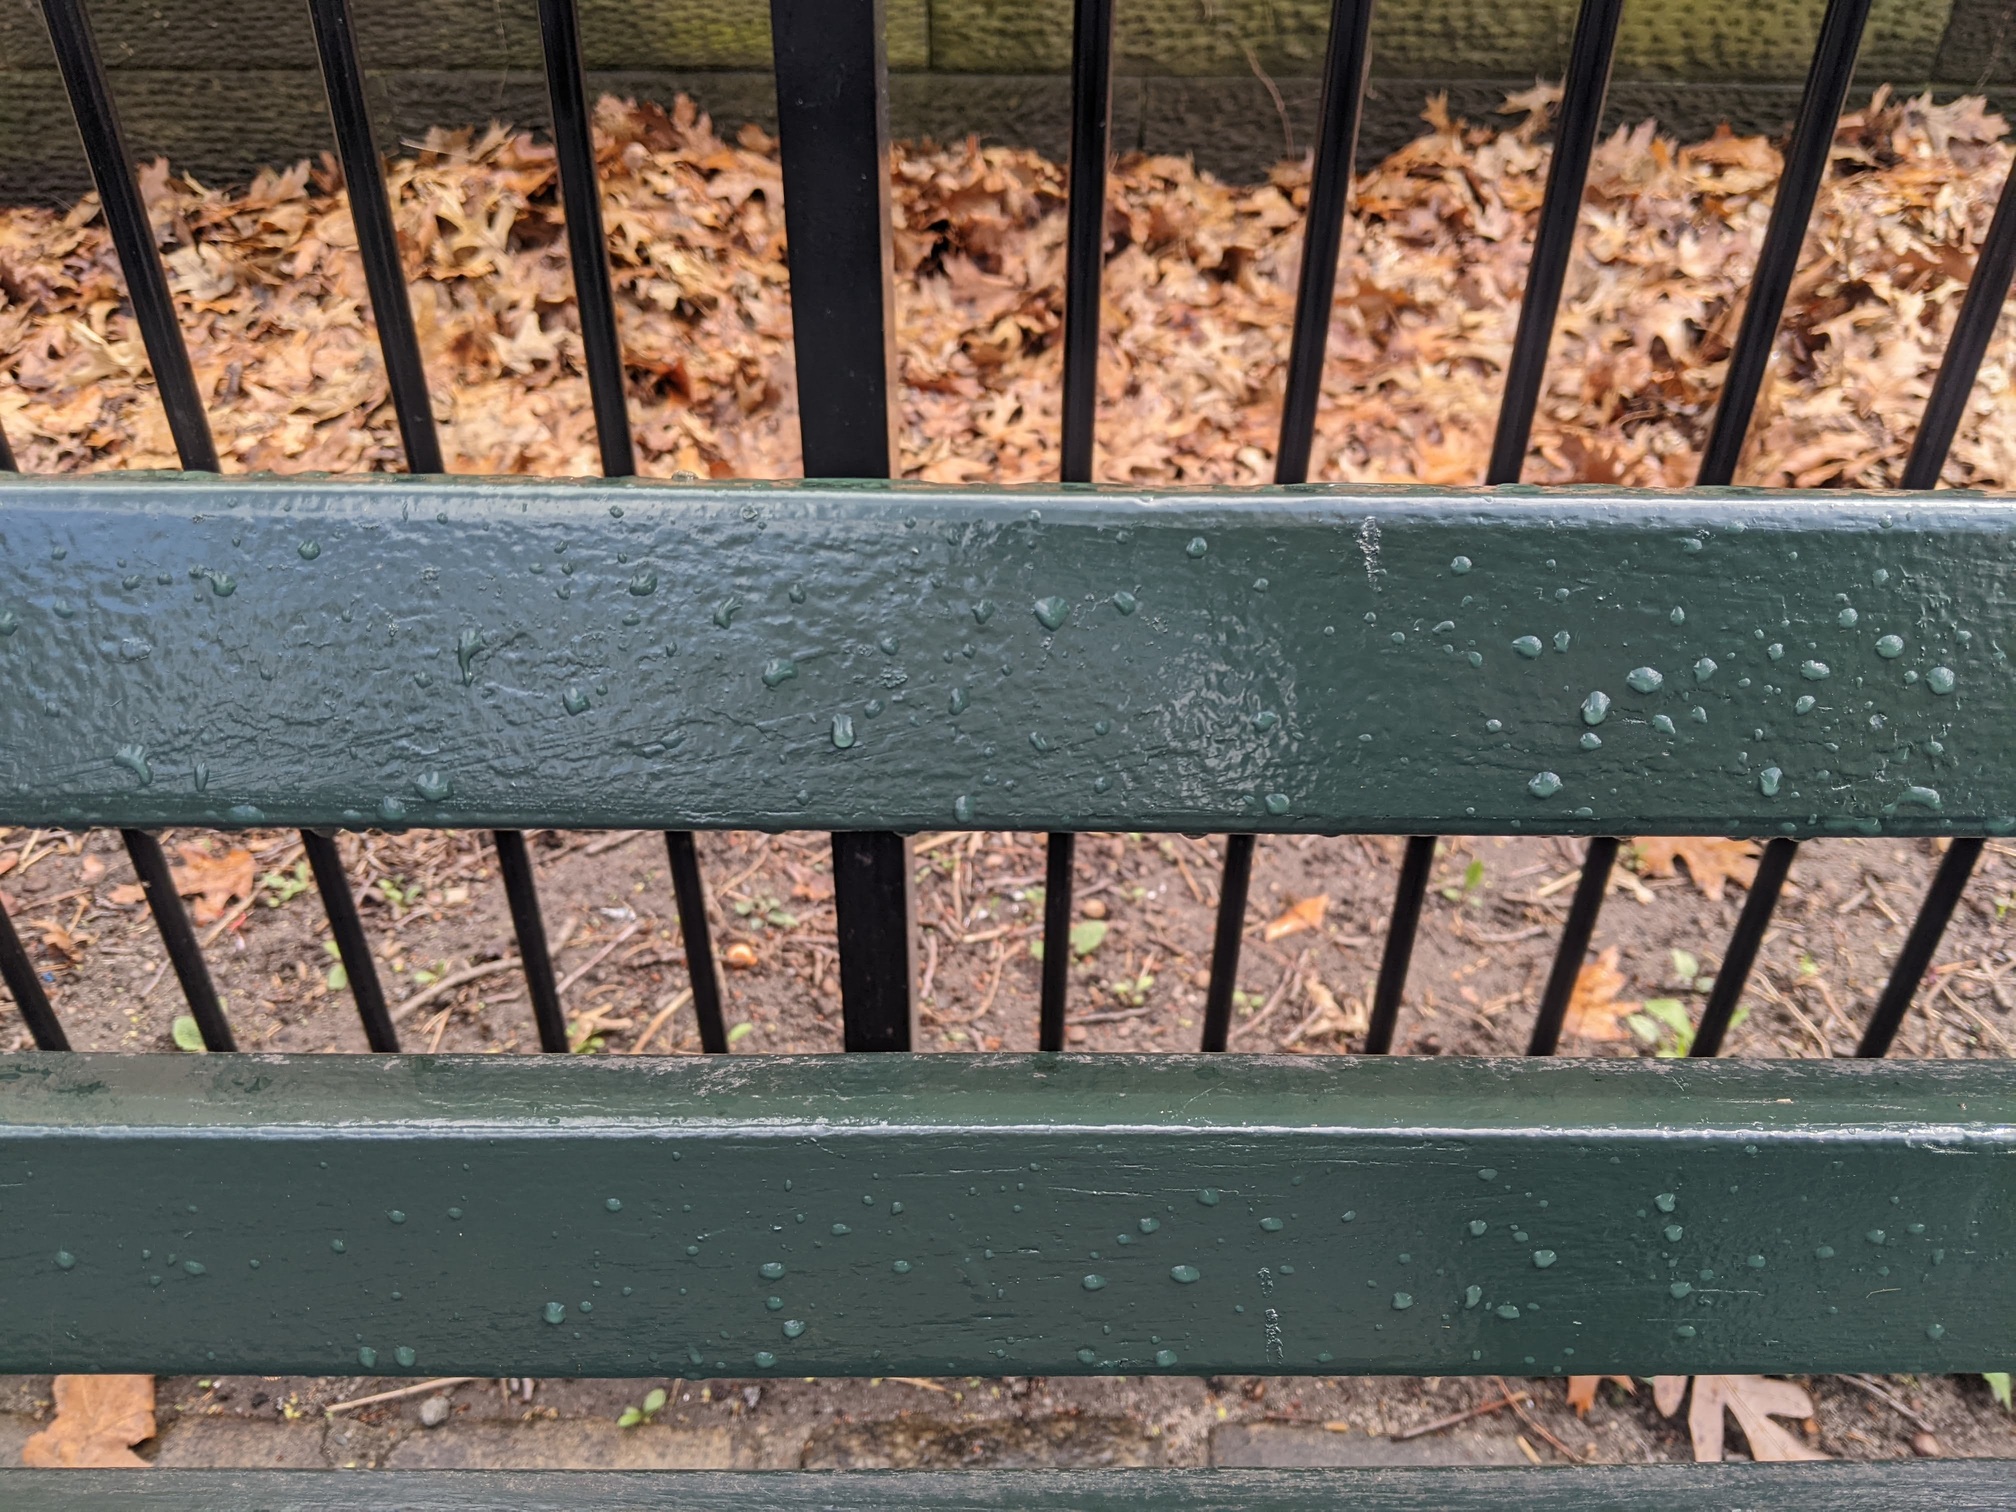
(1003, 1217)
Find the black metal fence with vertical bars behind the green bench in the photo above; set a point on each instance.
(834, 126)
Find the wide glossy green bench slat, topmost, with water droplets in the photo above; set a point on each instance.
(515, 654)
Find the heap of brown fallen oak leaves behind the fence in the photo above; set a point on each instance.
(1199, 295)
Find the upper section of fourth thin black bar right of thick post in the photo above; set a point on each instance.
(1799, 184)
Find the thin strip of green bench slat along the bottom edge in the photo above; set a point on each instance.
(1924, 1487)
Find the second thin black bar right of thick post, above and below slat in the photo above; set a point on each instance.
(1346, 61)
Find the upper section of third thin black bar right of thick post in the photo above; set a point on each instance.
(1567, 176)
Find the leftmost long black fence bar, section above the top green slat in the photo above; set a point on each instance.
(126, 219)
